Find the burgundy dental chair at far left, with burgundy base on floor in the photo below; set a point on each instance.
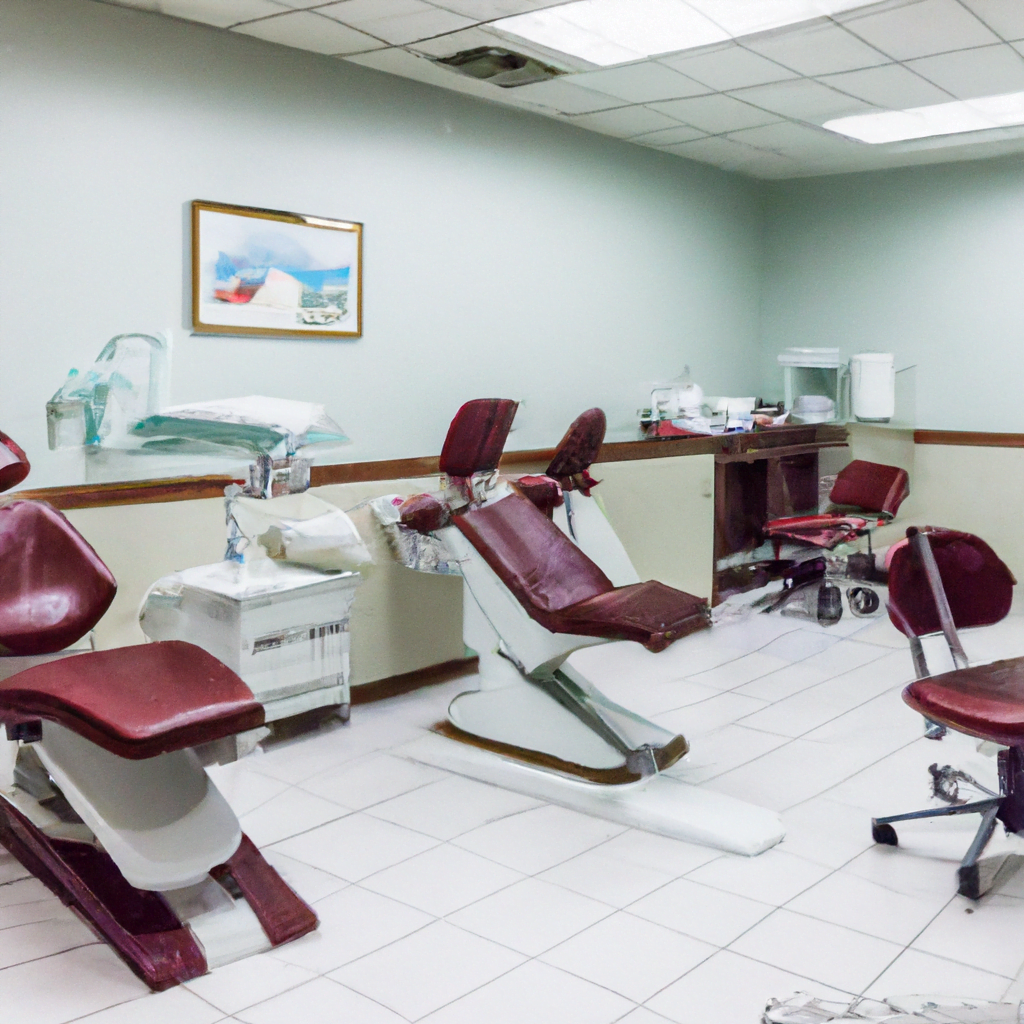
(103, 794)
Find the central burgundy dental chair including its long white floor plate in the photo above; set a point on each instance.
(532, 599)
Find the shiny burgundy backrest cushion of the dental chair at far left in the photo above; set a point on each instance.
(54, 587)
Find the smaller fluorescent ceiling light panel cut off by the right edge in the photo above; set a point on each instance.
(940, 119)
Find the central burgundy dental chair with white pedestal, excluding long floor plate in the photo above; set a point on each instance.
(533, 599)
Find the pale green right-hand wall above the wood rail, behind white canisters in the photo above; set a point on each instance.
(927, 263)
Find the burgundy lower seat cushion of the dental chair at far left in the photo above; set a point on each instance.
(136, 702)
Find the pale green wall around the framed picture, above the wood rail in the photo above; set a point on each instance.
(506, 254)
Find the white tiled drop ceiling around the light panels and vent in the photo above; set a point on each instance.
(755, 106)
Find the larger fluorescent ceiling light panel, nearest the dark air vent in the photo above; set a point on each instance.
(612, 32)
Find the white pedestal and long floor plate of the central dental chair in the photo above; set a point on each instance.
(536, 726)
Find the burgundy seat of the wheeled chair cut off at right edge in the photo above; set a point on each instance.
(984, 701)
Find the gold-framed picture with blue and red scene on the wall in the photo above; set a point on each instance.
(271, 273)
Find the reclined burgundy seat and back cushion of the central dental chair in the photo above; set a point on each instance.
(561, 588)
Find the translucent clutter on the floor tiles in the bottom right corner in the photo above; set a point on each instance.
(805, 1009)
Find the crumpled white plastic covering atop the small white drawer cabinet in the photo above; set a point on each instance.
(301, 529)
